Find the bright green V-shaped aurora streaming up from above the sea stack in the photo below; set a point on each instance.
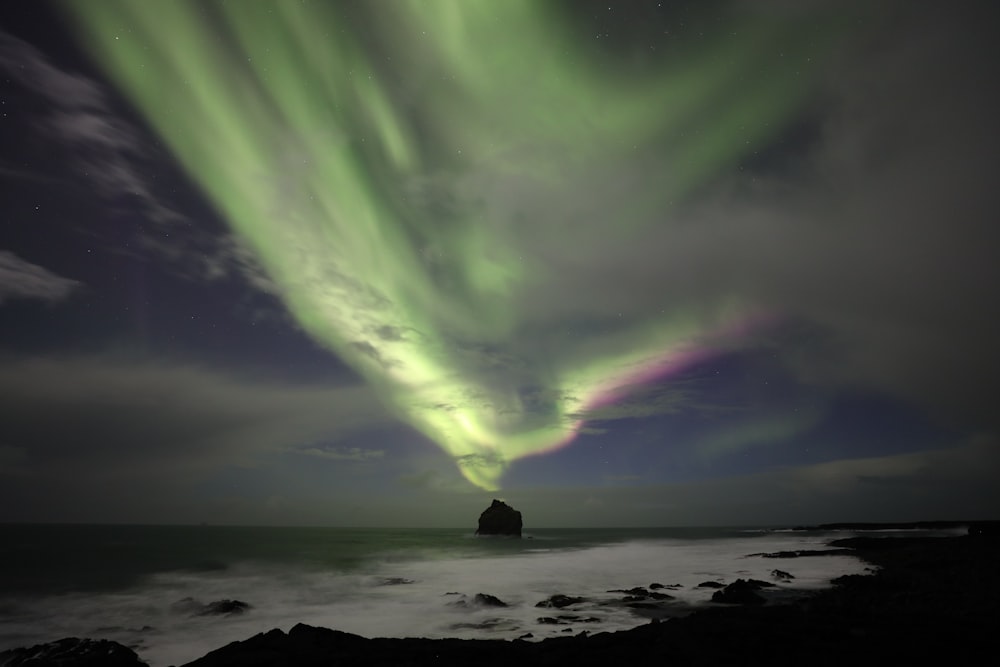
(395, 168)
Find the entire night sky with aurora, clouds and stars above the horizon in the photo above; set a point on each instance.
(619, 263)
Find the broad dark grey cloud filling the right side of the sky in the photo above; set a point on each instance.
(872, 224)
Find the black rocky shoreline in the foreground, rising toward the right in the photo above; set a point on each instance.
(926, 598)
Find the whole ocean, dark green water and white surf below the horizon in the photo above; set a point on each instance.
(143, 586)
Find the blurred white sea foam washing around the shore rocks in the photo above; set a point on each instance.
(416, 595)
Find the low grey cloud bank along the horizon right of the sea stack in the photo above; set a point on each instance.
(955, 483)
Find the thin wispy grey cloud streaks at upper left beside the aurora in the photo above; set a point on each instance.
(79, 122)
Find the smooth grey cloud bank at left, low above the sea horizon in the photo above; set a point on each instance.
(110, 418)
